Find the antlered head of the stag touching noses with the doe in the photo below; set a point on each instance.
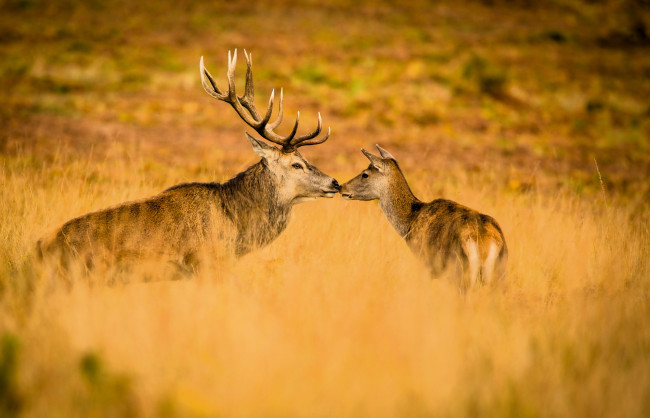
(298, 180)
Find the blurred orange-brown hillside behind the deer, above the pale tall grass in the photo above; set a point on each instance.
(534, 92)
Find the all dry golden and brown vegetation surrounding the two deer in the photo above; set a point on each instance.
(538, 116)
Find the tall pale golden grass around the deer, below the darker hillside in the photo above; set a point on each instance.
(335, 318)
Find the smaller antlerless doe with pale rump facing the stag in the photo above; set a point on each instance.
(451, 238)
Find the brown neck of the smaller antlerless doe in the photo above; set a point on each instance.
(398, 204)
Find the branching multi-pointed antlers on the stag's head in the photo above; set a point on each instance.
(245, 108)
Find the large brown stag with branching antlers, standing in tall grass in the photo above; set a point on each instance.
(189, 221)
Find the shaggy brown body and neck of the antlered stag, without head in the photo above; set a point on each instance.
(180, 223)
